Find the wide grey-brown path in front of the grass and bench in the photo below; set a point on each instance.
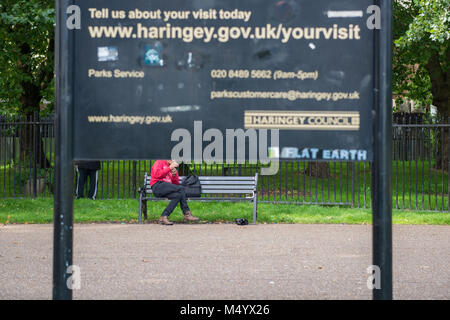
(224, 261)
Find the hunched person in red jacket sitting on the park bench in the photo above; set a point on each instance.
(165, 184)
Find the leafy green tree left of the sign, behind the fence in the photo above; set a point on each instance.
(27, 63)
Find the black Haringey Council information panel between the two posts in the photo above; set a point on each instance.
(143, 69)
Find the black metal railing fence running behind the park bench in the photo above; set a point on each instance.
(419, 176)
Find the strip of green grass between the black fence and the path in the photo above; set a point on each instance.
(40, 210)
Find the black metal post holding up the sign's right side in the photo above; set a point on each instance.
(382, 164)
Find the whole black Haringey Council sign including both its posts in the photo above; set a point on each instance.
(132, 77)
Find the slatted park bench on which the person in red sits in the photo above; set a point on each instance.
(214, 188)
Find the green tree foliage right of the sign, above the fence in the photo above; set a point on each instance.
(421, 32)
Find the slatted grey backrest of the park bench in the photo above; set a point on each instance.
(220, 184)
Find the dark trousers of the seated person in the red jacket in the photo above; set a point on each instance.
(175, 193)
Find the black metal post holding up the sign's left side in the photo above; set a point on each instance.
(63, 197)
